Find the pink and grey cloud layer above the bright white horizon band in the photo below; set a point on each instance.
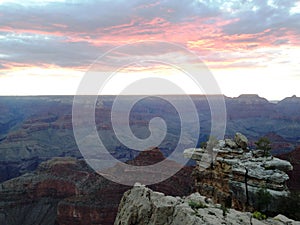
(72, 34)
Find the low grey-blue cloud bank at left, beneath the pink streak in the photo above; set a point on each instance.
(38, 50)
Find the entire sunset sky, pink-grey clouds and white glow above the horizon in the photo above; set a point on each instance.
(249, 46)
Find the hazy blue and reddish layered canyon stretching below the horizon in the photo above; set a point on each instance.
(45, 179)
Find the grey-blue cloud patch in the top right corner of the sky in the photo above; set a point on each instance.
(257, 16)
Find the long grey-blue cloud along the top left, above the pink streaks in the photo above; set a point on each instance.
(91, 16)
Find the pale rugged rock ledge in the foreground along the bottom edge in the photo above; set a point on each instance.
(142, 206)
